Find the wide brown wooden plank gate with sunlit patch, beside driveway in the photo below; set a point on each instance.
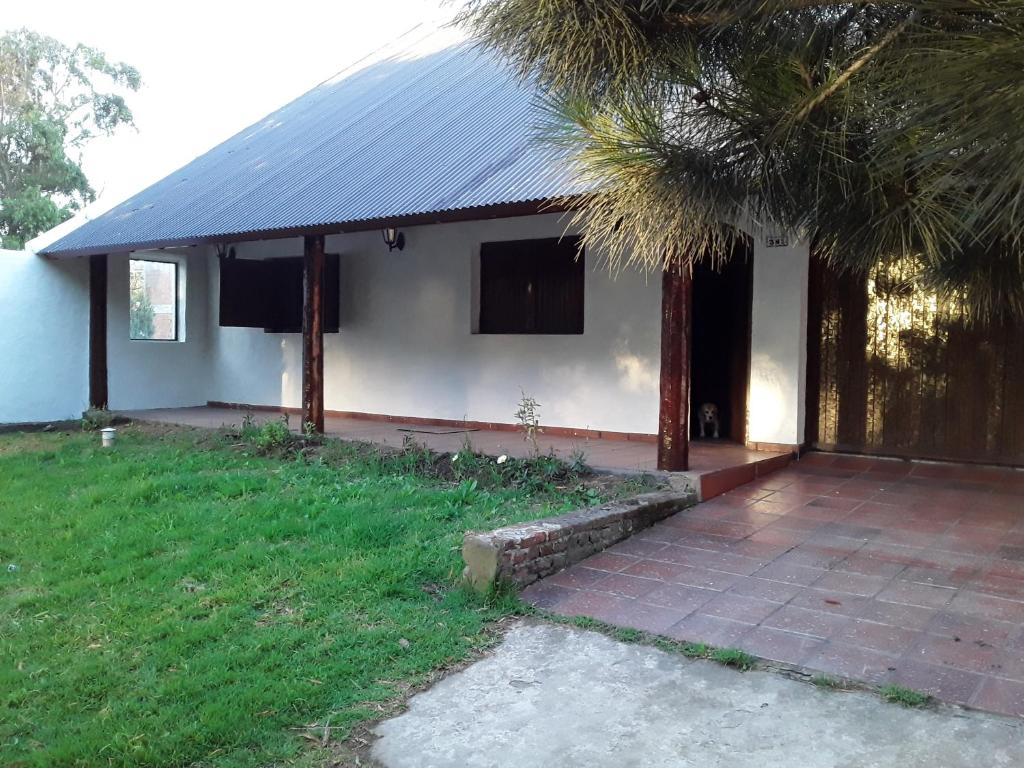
(893, 370)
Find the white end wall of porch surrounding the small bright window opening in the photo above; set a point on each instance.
(159, 374)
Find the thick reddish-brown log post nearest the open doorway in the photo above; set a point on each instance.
(677, 328)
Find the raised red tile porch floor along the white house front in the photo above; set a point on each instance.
(720, 466)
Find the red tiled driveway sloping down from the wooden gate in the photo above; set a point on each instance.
(882, 572)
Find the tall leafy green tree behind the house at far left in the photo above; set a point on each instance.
(54, 101)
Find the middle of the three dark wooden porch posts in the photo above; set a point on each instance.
(313, 332)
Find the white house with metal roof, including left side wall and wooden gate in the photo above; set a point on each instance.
(435, 146)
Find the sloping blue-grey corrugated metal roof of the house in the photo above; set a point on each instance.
(417, 132)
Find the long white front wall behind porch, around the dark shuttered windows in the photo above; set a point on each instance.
(407, 346)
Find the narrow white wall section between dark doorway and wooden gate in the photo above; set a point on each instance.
(779, 345)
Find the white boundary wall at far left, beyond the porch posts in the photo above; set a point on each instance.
(45, 338)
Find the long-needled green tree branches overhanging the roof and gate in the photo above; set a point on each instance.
(883, 132)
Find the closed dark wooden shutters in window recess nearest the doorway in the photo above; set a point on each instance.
(532, 287)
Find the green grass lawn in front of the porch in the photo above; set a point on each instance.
(179, 601)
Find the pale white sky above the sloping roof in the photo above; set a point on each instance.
(211, 68)
